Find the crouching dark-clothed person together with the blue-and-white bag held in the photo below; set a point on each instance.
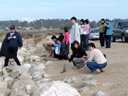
(60, 50)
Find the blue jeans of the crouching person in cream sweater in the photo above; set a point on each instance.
(93, 66)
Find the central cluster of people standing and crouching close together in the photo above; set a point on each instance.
(78, 39)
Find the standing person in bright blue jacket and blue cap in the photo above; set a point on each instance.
(108, 33)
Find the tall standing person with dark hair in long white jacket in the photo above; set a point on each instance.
(74, 33)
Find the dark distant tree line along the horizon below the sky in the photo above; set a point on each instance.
(44, 24)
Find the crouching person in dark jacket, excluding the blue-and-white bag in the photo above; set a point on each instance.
(63, 54)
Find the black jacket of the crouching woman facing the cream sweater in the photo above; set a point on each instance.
(79, 53)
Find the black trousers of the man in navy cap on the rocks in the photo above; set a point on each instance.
(11, 53)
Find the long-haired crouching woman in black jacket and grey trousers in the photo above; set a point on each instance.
(79, 55)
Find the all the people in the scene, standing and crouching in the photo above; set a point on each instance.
(78, 39)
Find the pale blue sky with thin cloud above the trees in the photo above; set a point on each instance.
(62, 9)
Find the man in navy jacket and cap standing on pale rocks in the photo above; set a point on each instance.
(14, 40)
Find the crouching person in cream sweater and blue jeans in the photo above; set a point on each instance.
(96, 61)
